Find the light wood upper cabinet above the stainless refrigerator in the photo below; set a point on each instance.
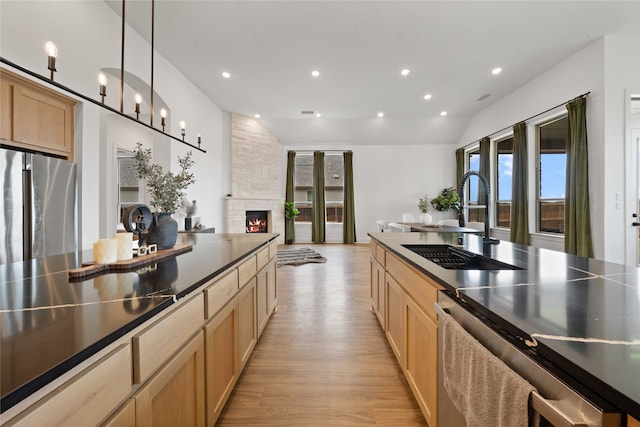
(35, 117)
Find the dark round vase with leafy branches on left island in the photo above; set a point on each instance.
(167, 191)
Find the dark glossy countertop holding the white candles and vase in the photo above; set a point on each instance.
(50, 323)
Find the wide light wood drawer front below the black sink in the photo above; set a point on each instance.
(423, 291)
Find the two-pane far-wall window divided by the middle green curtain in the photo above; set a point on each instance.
(333, 182)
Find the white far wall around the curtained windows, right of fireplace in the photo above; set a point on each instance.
(388, 180)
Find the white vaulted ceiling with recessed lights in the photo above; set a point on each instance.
(450, 48)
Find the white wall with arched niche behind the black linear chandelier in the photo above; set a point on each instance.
(88, 38)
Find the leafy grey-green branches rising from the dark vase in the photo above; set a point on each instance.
(165, 188)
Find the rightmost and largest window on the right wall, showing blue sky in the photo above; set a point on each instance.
(552, 153)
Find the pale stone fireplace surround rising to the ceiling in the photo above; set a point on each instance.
(255, 163)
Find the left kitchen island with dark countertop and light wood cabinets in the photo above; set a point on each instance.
(58, 332)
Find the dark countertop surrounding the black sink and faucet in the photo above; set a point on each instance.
(584, 313)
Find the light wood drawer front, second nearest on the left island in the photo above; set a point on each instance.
(153, 346)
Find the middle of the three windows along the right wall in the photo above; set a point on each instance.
(504, 168)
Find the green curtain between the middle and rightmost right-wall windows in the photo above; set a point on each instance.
(519, 232)
